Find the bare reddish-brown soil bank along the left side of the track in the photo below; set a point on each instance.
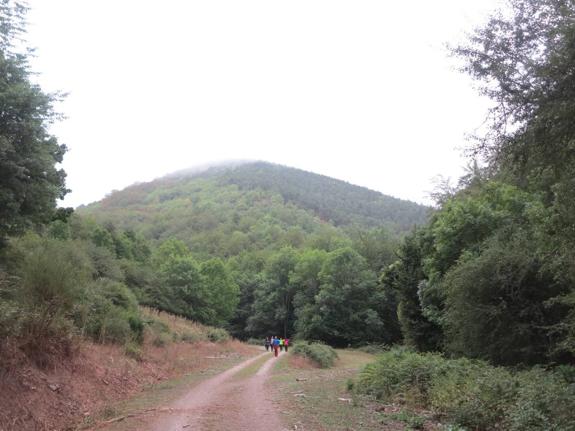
(75, 390)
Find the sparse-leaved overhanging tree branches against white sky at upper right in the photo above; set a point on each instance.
(523, 61)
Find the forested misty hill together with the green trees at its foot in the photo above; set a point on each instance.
(291, 240)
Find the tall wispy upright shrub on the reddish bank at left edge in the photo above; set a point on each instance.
(47, 279)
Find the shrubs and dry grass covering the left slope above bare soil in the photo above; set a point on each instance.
(54, 292)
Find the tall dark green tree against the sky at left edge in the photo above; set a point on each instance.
(30, 182)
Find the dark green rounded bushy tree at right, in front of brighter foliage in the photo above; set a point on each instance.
(497, 305)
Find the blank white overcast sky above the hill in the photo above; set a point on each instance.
(362, 91)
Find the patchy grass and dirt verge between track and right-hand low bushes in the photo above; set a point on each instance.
(313, 398)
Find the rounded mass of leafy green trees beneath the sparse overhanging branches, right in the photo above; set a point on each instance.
(483, 279)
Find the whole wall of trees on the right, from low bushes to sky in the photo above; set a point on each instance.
(492, 275)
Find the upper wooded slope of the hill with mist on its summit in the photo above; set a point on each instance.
(250, 206)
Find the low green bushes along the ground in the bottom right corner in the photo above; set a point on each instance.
(474, 394)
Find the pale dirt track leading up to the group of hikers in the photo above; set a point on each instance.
(223, 403)
